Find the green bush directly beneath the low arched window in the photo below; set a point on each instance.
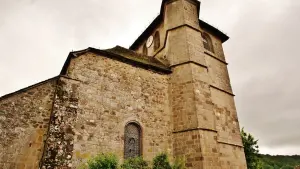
(135, 163)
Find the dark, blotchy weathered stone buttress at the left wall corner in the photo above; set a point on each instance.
(60, 140)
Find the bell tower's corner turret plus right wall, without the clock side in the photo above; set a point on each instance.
(205, 123)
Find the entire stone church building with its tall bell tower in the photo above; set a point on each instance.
(169, 92)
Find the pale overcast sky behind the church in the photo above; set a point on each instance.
(37, 35)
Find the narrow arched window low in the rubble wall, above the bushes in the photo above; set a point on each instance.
(132, 141)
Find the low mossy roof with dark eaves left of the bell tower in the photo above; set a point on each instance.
(123, 55)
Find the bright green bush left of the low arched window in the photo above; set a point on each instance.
(103, 161)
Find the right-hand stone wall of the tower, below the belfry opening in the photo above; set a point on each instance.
(227, 124)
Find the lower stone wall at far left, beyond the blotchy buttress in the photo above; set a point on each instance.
(24, 119)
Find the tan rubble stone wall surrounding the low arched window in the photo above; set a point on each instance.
(111, 94)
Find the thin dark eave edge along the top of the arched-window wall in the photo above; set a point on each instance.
(112, 56)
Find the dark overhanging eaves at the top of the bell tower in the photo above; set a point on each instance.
(159, 19)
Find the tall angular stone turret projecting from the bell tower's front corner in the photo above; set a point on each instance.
(194, 122)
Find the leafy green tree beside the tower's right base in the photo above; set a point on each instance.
(251, 151)
